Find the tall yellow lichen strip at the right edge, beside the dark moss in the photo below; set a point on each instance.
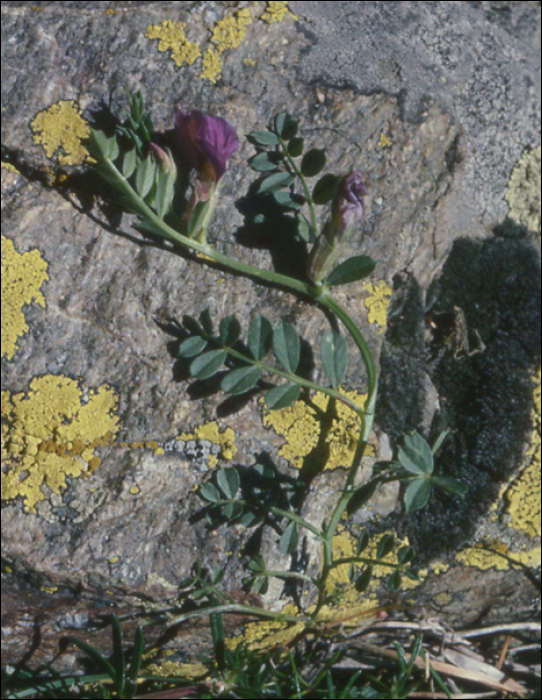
(523, 495)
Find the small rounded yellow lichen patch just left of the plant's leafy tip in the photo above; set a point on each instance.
(62, 128)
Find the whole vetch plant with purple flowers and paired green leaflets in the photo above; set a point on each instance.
(143, 176)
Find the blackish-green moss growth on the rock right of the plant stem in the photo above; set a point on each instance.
(485, 397)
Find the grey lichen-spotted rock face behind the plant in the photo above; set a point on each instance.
(103, 436)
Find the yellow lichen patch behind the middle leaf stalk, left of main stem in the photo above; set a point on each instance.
(302, 427)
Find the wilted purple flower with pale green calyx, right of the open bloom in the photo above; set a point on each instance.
(346, 212)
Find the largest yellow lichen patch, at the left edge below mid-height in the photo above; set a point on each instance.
(48, 434)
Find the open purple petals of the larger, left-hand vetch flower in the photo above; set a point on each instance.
(205, 141)
